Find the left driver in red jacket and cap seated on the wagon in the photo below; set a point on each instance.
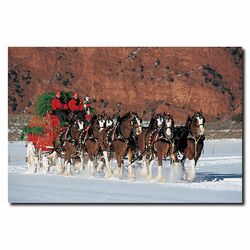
(59, 108)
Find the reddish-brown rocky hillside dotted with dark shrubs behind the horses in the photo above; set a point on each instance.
(146, 80)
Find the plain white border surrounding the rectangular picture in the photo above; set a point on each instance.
(120, 23)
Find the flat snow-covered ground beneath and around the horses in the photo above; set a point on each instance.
(218, 180)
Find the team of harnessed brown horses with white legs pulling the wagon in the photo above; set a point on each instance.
(94, 145)
